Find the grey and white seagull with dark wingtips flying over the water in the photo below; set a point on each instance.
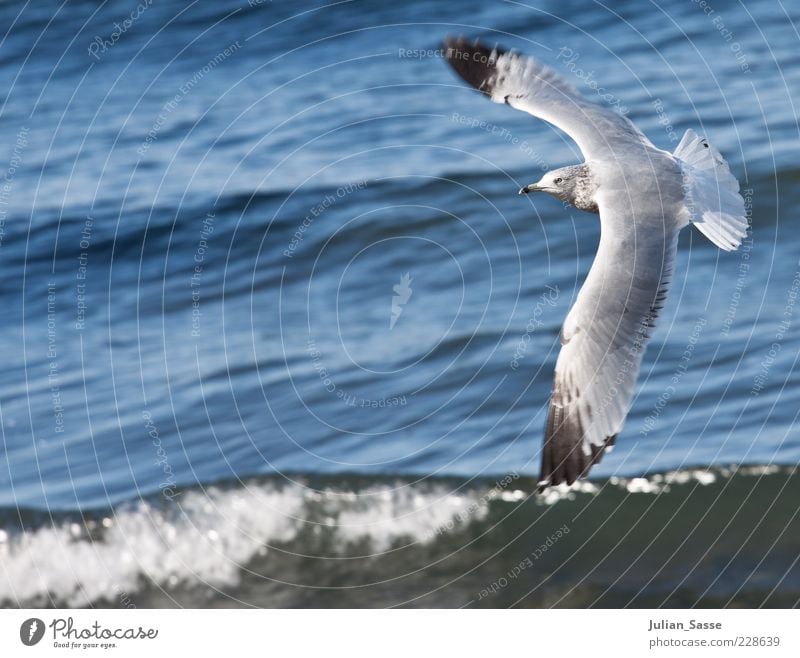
(644, 196)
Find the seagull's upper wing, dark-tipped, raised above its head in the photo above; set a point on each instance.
(526, 84)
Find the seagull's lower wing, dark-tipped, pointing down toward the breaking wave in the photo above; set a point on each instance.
(604, 336)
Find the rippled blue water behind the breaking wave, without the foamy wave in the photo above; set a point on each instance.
(205, 216)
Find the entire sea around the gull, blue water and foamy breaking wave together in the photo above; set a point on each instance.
(279, 330)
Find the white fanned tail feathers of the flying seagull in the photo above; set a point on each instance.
(711, 192)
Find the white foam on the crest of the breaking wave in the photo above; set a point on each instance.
(205, 537)
